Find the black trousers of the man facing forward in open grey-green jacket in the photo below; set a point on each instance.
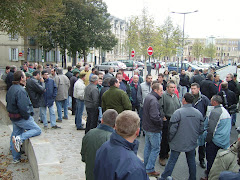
(164, 143)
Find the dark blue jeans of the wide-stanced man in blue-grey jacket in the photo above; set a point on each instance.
(172, 161)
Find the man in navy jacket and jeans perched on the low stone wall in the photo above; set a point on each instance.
(20, 111)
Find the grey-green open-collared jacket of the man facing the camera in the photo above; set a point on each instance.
(169, 104)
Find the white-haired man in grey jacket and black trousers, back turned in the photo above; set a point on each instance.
(91, 100)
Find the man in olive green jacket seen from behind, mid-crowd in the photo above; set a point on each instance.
(115, 98)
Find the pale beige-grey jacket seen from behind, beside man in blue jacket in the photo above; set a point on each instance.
(63, 85)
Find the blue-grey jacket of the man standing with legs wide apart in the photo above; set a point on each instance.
(186, 124)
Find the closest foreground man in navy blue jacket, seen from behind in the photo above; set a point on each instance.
(116, 159)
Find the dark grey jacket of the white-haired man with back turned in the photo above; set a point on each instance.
(91, 96)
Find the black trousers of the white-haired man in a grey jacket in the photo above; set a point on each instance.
(92, 119)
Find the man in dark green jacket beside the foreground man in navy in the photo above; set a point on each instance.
(93, 140)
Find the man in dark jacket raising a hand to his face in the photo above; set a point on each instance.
(35, 88)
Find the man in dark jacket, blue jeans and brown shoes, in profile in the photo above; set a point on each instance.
(152, 125)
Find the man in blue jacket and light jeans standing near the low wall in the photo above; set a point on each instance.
(49, 97)
